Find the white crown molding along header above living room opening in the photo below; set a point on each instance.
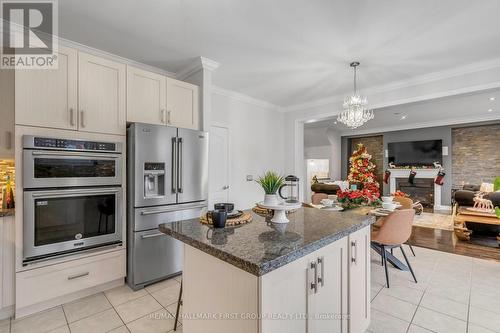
(415, 81)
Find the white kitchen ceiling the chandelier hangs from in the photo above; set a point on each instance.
(289, 52)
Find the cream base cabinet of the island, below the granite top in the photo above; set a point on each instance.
(324, 291)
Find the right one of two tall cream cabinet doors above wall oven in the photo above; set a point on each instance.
(101, 93)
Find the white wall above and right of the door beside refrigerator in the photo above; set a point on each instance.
(256, 143)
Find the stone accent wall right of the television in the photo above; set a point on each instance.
(475, 154)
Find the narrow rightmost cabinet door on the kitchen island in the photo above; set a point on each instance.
(359, 280)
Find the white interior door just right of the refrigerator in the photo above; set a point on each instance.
(218, 165)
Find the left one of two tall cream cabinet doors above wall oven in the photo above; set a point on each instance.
(48, 98)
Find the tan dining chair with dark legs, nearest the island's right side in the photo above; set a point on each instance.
(395, 231)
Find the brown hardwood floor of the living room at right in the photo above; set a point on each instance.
(445, 240)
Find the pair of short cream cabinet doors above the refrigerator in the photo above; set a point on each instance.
(156, 99)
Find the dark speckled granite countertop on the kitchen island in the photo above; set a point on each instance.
(262, 246)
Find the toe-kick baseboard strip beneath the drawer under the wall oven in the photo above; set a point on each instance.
(22, 312)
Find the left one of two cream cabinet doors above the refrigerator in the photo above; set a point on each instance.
(146, 97)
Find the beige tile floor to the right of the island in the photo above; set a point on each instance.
(455, 294)
